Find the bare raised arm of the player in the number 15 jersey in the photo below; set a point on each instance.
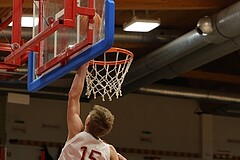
(74, 122)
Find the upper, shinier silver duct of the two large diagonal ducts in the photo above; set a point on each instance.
(225, 26)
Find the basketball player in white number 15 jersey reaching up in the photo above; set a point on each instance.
(83, 141)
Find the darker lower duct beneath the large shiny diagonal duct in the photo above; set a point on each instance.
(187, 63)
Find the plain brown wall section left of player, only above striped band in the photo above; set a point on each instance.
(42, 120)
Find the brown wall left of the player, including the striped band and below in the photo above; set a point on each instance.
(29, 126)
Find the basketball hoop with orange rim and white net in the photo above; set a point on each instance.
(106, 73)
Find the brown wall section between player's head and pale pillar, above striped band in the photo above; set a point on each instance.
(155, 123)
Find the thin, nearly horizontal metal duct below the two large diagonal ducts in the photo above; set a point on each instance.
(206, 95)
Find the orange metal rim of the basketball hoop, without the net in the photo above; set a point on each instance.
(111, 50)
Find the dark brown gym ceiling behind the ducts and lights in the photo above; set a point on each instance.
(177, 18)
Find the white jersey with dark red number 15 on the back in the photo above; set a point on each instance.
(84, 146)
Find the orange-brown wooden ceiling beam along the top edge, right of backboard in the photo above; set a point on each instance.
(171, 4)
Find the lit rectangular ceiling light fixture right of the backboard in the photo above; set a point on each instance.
(141, 25)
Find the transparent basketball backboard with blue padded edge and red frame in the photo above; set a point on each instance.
(68, 34)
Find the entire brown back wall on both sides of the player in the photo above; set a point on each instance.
(146, 127)
